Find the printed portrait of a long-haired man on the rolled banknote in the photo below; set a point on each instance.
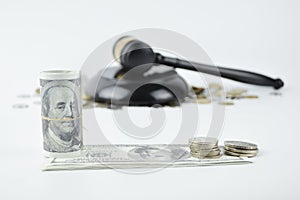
(61, 116)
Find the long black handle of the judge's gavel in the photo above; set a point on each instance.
(233, 74)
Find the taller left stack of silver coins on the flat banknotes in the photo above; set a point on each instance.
(204, 147)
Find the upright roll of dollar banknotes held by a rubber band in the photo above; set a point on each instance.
(61, 112)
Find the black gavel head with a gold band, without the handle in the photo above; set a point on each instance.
(130, 53)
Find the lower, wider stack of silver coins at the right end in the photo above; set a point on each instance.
(240, 149)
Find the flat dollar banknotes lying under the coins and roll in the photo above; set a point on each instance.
(136, 156)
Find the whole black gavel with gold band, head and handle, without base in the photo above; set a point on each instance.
(131, 53)
